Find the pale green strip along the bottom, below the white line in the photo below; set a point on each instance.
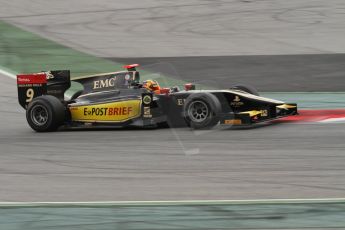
(179, 216)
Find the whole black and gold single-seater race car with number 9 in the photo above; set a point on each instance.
(120, 99)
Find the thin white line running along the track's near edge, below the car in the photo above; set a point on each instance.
(173, 203)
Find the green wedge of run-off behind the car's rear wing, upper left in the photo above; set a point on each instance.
(25, 52)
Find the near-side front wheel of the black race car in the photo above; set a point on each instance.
(201, 110)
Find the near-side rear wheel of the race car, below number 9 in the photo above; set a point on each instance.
(45, 113)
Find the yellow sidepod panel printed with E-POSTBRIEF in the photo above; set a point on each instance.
(119, 111)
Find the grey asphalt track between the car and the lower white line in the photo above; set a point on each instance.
(276, 161)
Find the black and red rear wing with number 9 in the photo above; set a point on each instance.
(33, 85)
